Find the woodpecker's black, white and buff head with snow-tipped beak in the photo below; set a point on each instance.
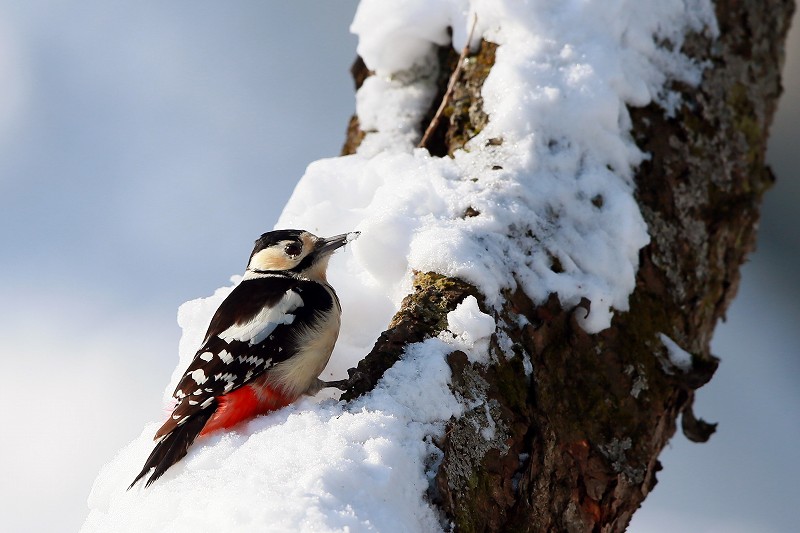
(296, 251)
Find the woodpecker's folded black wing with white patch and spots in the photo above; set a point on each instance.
(246, 337)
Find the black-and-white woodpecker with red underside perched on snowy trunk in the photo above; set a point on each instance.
(266, 345)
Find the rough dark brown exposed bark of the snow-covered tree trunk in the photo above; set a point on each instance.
(577, 442)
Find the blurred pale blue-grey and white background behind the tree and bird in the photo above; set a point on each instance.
(143, 147)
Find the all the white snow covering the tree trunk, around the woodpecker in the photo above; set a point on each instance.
(556, 215)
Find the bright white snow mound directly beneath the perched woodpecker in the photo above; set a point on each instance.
(308, 467)
